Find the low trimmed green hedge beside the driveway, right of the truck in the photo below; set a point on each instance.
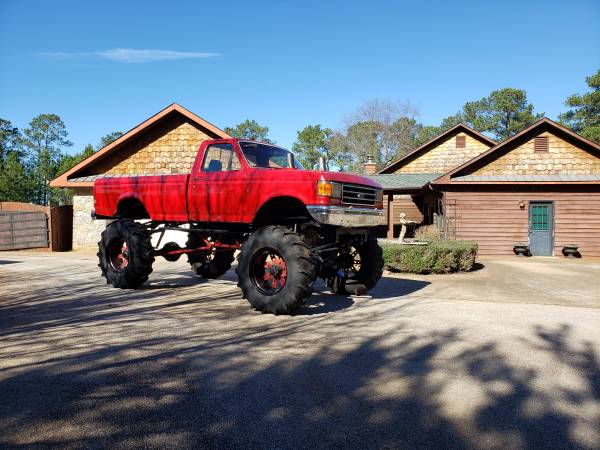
(435, 257)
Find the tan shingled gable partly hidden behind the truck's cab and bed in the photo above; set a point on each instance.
(168, 148)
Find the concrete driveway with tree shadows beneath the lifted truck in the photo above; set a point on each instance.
(507, 356)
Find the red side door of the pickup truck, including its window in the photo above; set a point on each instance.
(216, 187)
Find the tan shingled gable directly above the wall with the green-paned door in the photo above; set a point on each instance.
(562, 158)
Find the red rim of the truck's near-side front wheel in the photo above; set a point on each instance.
(269, 271)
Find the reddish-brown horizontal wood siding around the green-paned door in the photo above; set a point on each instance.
(496, 221)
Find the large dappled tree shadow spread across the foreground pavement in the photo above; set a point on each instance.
(203, 390)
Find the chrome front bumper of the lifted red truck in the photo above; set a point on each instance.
(349, 217)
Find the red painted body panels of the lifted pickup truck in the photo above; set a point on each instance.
(228, 196)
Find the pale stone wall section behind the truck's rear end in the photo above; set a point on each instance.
(86, 232)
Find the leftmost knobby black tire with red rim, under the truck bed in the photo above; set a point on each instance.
(125, 254)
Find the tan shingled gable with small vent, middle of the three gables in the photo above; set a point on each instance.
(445, 156)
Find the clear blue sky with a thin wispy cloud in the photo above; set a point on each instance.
(108, 65)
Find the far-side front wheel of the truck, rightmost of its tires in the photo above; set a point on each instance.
(359, 269)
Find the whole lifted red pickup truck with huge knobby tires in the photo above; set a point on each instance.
(291, 225)
